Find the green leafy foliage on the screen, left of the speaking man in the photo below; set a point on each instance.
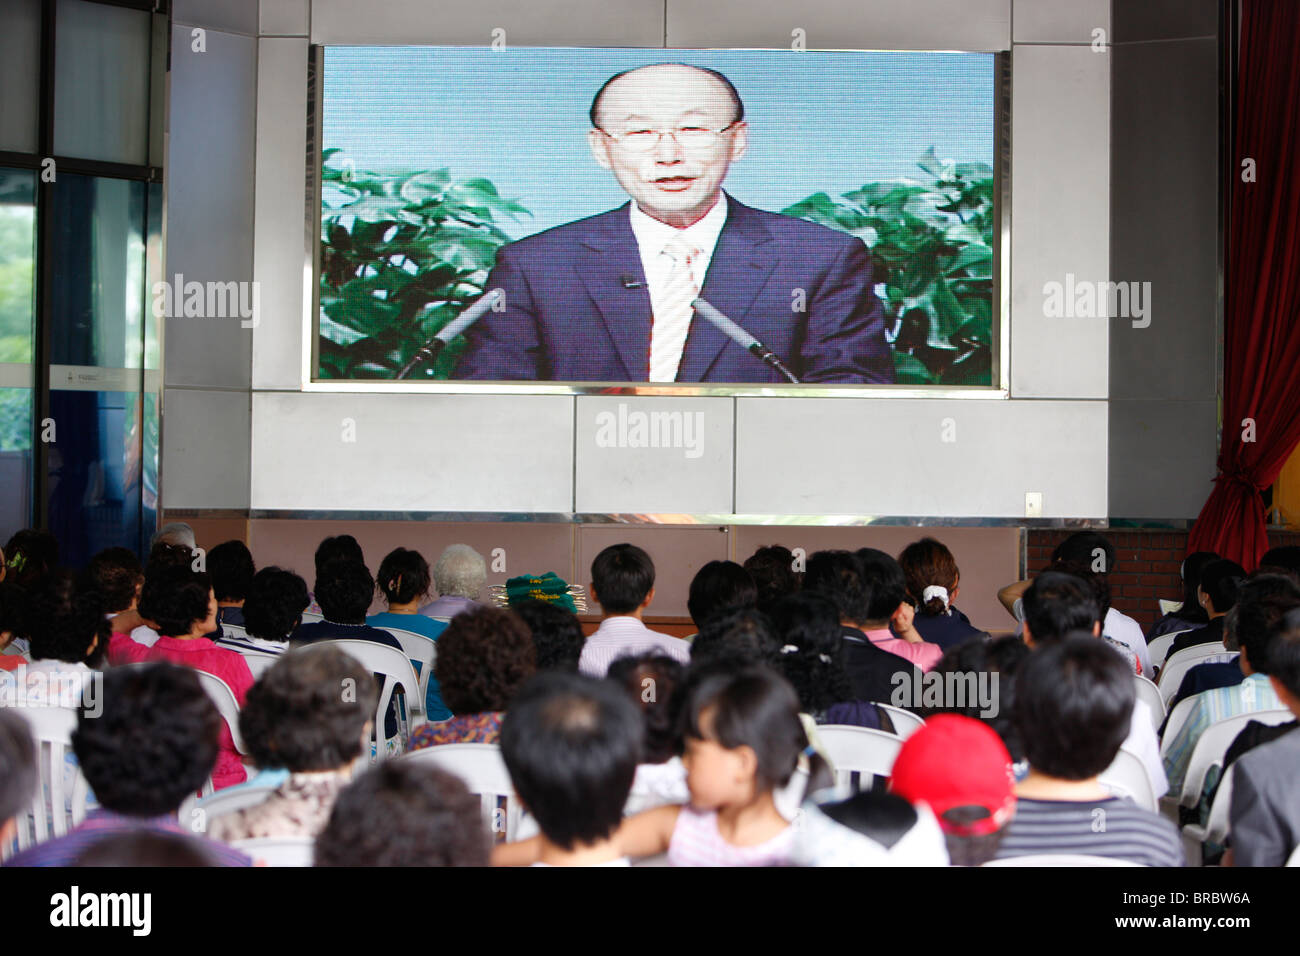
(401, 256)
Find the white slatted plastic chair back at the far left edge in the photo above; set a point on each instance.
(59, 803)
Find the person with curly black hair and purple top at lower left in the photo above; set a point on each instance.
(141, 767)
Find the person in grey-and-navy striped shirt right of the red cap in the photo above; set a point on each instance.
(1074, 703)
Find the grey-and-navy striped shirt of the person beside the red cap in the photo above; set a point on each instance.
(1115, 828)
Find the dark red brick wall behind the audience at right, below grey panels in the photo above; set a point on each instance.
(1147, 565)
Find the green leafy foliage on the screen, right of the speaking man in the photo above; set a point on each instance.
(933, 244)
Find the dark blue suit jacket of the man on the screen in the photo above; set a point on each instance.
(570, 315)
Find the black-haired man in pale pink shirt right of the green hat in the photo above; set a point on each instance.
(623, 585)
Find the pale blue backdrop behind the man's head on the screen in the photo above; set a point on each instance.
(820, 122)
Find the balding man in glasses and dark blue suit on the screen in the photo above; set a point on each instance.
(608, 299)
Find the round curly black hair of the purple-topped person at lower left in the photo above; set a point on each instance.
(153, 745)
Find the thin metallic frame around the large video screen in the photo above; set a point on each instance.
(998, 391)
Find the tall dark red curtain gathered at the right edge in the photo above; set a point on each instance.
(1262, 335)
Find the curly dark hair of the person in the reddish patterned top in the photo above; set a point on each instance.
(484, 657)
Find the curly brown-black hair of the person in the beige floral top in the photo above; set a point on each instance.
(301, 717)
